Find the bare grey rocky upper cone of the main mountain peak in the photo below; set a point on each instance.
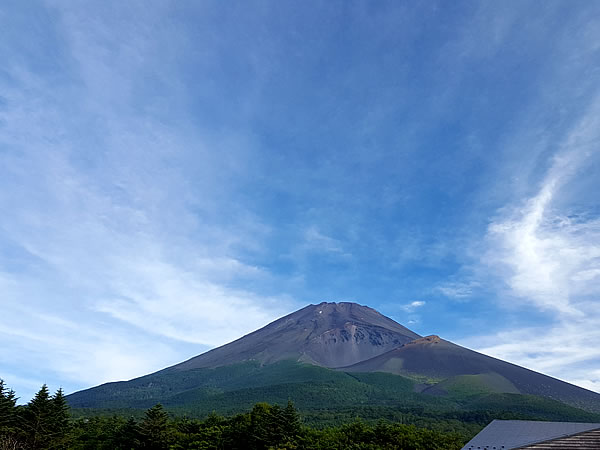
(327, 334)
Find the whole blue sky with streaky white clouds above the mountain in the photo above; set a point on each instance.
(174, 175)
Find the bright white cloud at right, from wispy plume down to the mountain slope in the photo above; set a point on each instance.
(548, 257)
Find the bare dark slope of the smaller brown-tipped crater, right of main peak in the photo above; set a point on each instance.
(454, 367)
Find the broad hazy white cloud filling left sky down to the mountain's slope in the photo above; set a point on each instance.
(111, 250)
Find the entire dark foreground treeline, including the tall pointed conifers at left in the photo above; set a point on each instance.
(45, 423)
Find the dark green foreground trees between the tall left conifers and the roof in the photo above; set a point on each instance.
(264, 427)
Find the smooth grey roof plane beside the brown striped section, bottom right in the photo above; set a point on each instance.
(507, 434)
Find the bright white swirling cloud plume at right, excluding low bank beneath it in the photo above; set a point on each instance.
(547, 257)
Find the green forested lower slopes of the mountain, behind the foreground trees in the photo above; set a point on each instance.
(325, 397)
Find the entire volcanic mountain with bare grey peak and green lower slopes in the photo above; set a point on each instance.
(347, 355)
